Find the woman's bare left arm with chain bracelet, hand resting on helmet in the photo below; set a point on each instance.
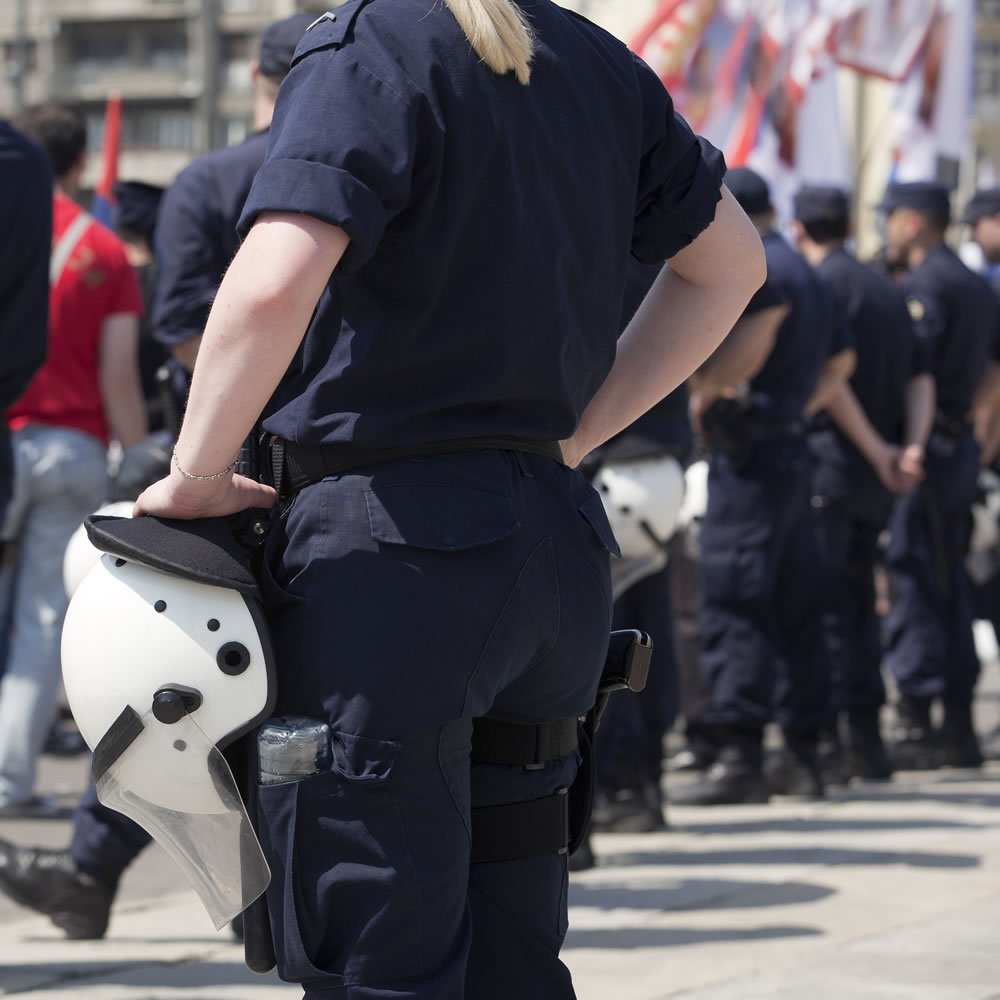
(259, 318)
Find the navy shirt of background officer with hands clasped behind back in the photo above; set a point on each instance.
(888, 356)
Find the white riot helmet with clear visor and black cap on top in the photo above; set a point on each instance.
(166, 661)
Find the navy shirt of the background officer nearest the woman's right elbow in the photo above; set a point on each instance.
(812, 331)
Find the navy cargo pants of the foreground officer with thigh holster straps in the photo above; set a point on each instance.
(405, 600)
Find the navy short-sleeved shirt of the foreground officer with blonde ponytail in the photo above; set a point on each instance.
(490, 223)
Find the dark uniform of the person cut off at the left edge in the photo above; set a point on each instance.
(26, 225)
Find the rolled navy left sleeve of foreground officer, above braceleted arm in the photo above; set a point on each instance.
(342, 149)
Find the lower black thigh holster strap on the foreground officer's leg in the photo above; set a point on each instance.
(521, 829)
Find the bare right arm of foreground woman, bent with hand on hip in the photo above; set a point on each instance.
(693, 304)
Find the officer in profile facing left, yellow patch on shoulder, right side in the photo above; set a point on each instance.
(929, 627)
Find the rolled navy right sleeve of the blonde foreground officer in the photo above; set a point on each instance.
(680, 182)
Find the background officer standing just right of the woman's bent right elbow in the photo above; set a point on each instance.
(763, 586)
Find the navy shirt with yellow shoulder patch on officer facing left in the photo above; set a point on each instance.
(954, 313)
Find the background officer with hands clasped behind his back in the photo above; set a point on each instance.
(869, 447)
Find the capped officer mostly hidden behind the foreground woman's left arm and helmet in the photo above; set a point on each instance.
(195, 240)
